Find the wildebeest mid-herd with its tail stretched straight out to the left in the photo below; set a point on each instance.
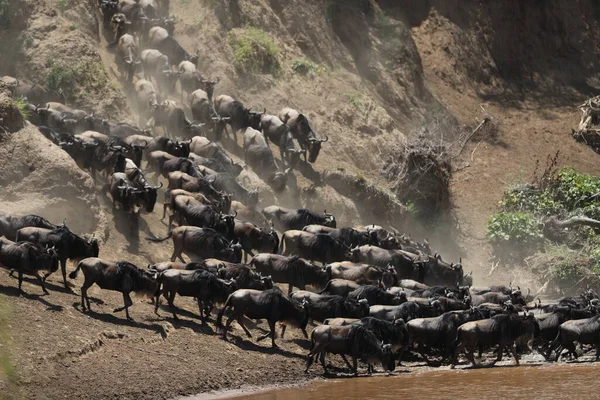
(201, 242)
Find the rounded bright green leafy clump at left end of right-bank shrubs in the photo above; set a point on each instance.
(514, 228)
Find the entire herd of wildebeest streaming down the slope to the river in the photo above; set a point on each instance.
(378, 295)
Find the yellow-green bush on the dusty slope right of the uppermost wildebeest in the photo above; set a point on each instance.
(255, 51)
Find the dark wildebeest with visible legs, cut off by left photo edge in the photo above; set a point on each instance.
(29, 259)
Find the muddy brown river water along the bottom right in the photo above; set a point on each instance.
(544, 381)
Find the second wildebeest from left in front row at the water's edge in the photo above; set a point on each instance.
(439, 332)
